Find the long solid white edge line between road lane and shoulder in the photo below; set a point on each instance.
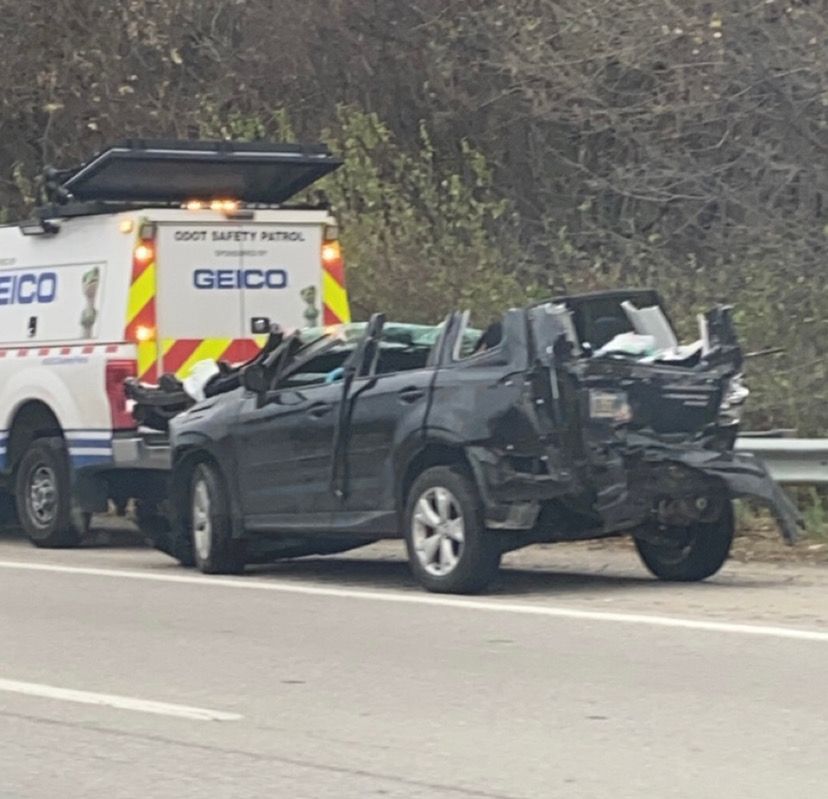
(490, 606)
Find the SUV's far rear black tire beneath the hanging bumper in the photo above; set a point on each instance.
(696, 553)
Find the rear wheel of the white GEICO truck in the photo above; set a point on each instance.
(43, 493)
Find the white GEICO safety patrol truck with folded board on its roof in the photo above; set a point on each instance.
(147, 259)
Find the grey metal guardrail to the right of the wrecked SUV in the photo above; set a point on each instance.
(790, 460)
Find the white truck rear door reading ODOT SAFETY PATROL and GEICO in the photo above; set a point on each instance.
(214, 278)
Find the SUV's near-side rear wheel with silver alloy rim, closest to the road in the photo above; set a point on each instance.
(474, 559)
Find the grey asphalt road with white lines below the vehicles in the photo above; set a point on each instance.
(578, 677)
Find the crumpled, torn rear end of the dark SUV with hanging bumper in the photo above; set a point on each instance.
(657, 434)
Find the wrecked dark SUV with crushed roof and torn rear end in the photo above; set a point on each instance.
(572, 419)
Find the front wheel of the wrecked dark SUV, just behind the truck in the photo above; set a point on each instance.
(215, 551)
